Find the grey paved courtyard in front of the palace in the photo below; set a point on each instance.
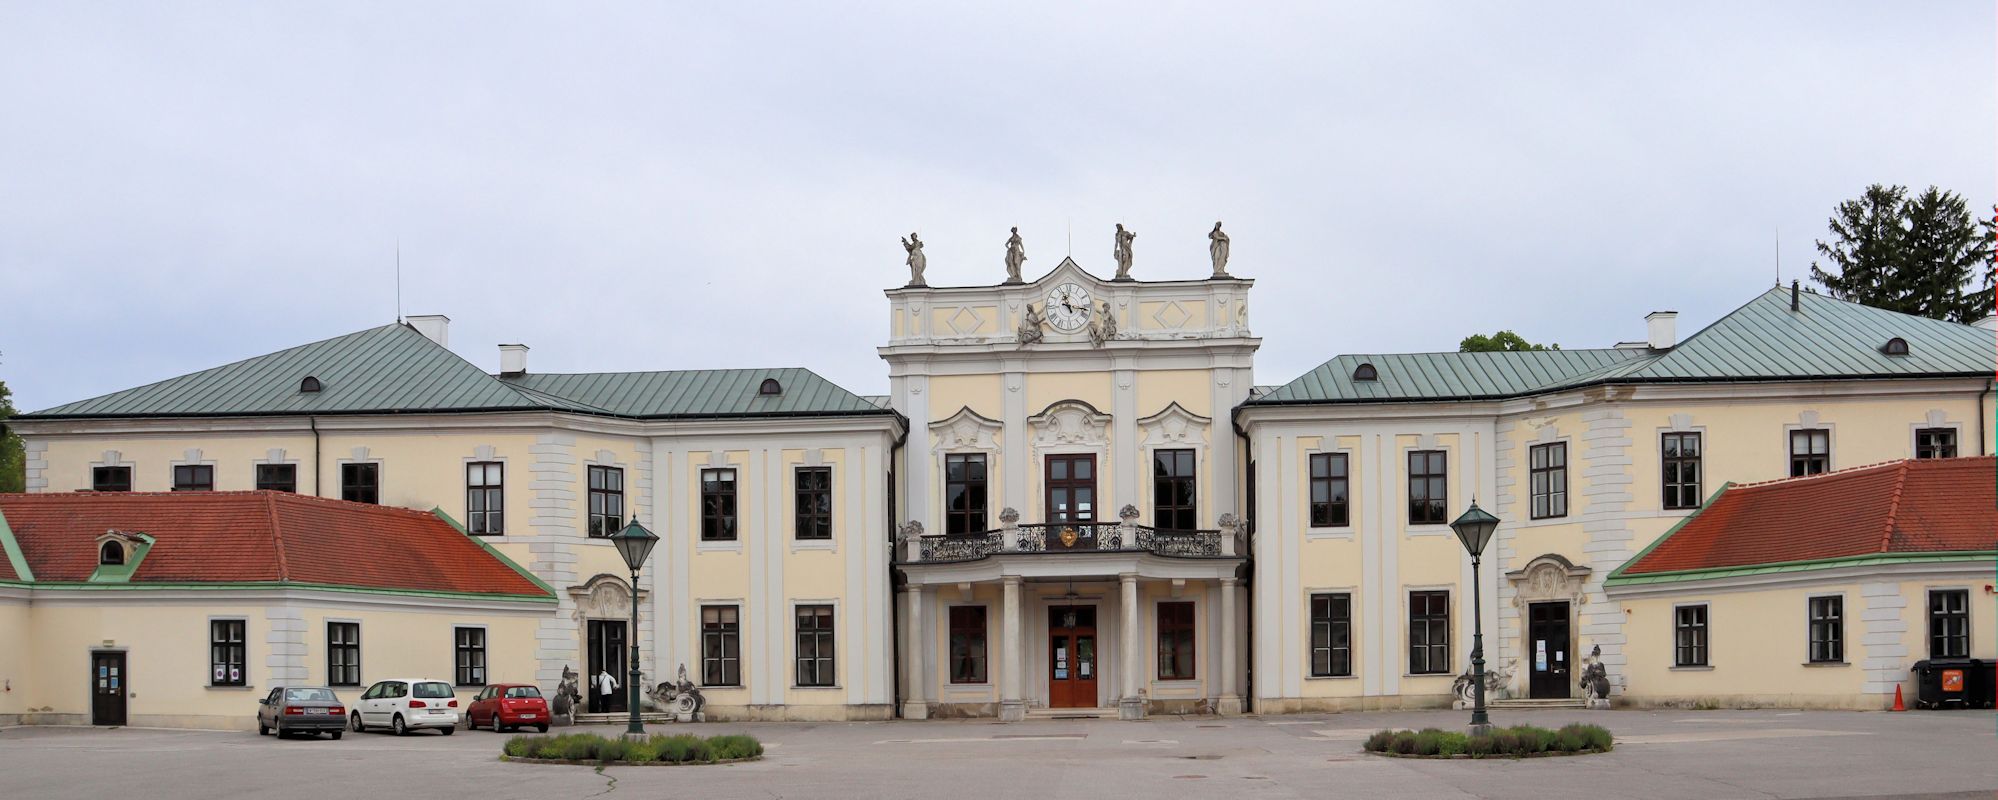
(1659, 755)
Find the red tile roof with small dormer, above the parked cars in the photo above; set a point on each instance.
(259, 537)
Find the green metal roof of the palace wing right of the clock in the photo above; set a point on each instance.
(1759, 341)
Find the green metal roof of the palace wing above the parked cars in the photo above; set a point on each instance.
(397, 371)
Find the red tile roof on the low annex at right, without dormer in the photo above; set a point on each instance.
(1937, 505)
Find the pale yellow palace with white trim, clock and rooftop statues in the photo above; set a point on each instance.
(1076, 499)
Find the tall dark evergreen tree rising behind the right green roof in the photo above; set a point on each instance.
(1919, 255)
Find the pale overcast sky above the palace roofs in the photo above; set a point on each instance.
(658, 187)
